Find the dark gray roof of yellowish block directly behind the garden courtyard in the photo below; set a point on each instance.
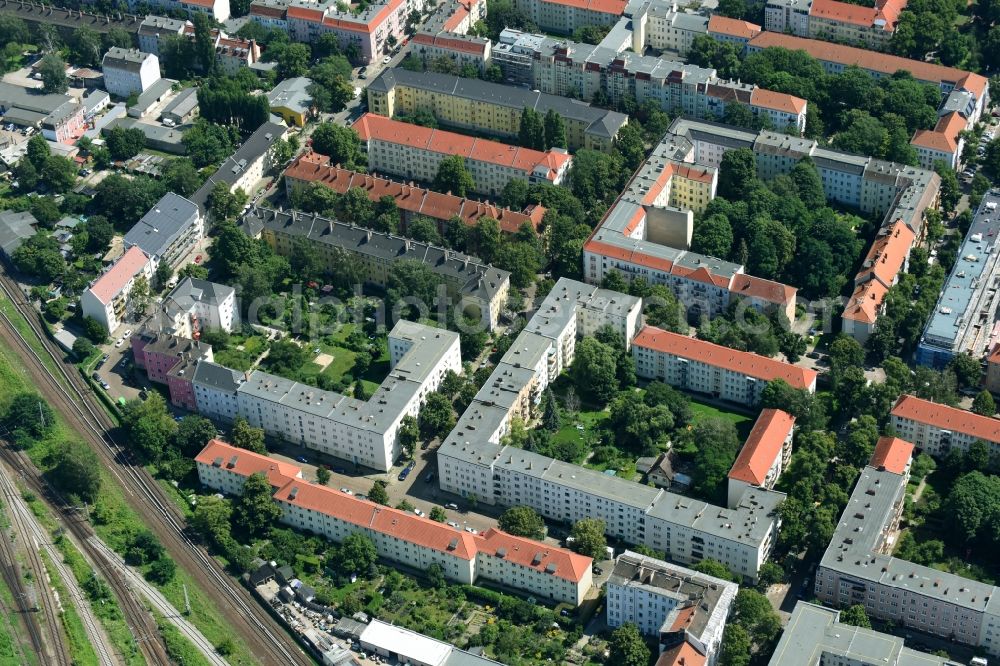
(472, 276)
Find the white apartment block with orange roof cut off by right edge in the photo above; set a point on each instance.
(937, 429)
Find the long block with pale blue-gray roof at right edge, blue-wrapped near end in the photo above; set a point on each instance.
(964, 315)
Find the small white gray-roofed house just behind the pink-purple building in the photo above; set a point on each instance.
(196, 305)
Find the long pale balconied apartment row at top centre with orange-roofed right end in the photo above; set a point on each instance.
(614, 70)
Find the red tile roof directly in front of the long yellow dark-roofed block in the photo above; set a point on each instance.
(372, 126)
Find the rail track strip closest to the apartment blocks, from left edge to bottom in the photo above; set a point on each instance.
(263, 635)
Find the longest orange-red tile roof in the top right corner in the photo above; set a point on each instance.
(871, 60)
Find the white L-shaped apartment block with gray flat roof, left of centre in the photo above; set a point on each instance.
(365, 433)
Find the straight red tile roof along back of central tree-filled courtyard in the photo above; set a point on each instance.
(747, 363)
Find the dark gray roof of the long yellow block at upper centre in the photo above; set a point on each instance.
(600, 121)
